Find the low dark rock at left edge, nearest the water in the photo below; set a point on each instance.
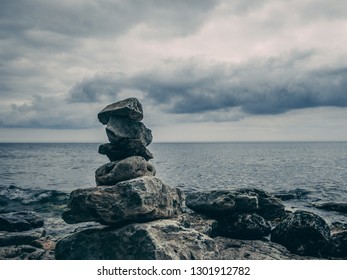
(20, 221)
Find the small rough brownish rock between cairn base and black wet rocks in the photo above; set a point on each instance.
(199, 222)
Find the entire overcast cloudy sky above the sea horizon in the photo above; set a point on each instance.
(203, 70)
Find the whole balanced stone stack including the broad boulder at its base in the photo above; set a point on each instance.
(129, 201)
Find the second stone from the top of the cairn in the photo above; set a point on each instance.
(127, 133)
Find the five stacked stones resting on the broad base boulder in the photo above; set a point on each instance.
(127, 190)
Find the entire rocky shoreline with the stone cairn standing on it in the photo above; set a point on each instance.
(132, 214)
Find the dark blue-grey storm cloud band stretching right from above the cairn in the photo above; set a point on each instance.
(271, 86)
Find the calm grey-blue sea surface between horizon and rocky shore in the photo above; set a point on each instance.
(305, 172)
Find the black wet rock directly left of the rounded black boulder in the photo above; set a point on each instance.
(243, 226)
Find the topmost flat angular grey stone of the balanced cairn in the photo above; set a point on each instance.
(129, 108)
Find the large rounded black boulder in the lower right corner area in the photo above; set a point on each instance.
(303, 233)
